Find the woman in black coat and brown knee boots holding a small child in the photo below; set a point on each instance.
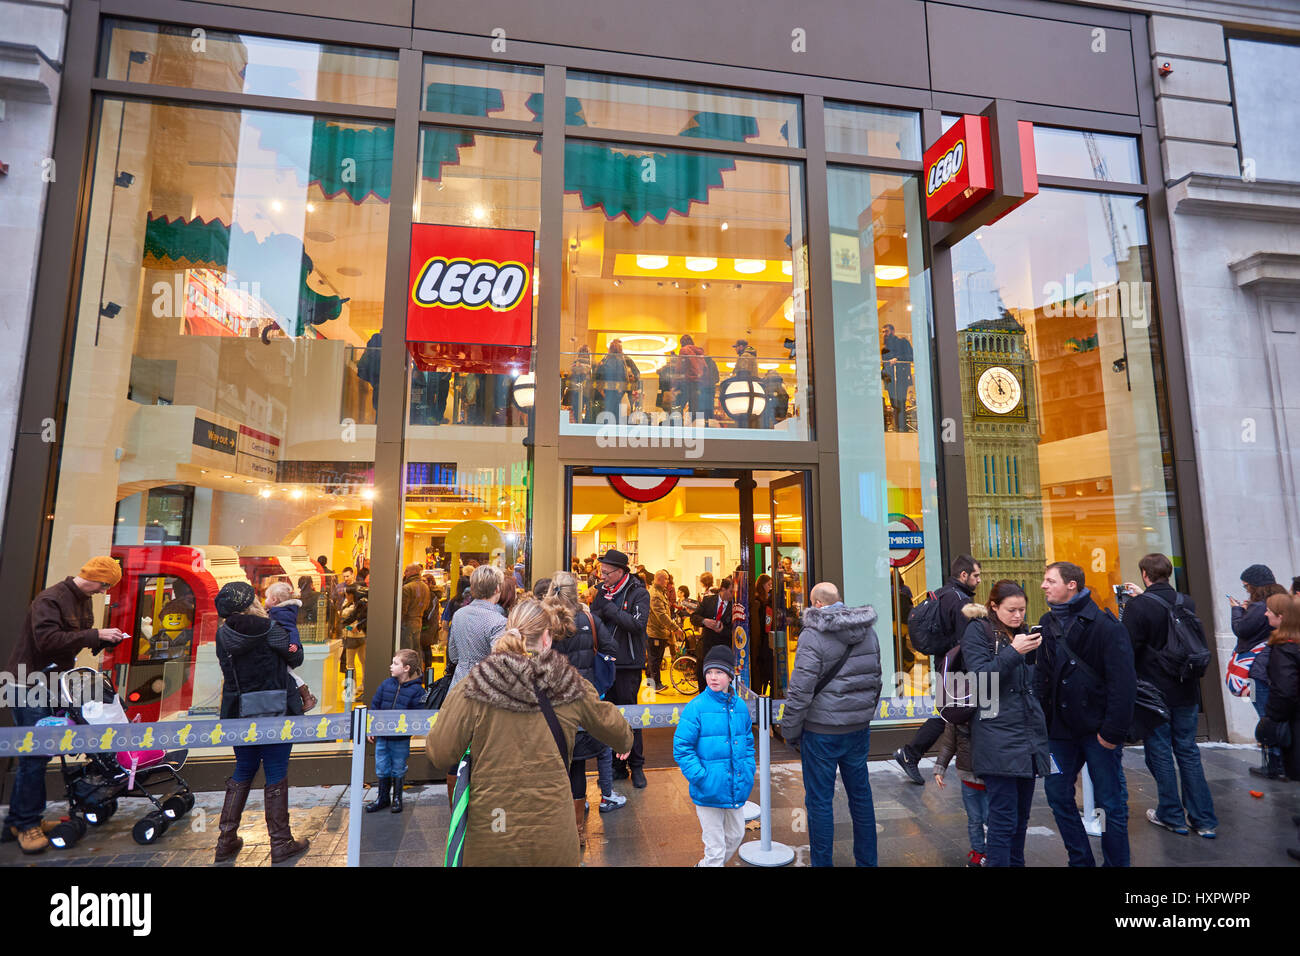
(255, 655)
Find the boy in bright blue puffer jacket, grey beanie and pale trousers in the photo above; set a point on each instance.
(714, 747)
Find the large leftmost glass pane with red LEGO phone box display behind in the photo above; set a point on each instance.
(222, 386)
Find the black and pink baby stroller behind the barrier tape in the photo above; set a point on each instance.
(96, 784)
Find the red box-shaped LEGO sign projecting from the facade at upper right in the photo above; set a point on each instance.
(959, 170)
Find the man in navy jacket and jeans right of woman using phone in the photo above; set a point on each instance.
(1087, 685)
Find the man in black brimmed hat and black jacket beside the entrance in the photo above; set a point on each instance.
(622, 608)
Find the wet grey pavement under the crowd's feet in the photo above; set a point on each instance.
(917, 827)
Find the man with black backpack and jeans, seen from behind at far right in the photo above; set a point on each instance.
(1171, 652)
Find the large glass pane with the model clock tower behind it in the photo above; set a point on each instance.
(1063, 395)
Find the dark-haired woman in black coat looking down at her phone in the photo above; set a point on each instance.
(1009, 734)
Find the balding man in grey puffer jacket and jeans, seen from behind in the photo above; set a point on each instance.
(829, 706)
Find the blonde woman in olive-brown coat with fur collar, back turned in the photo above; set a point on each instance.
(521, 807)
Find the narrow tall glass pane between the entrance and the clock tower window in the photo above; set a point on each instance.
(885, 395)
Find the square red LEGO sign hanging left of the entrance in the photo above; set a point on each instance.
(471, 299)
